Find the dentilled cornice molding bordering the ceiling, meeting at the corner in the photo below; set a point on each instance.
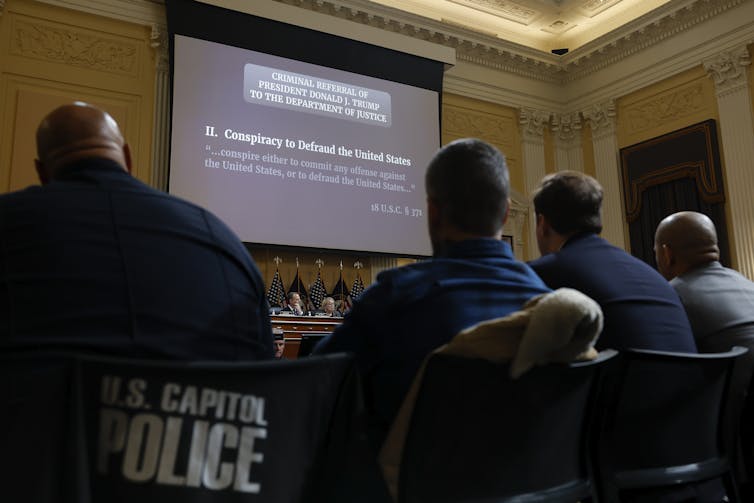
(486, 50)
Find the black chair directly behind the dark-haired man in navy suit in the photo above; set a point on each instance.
(661, 429)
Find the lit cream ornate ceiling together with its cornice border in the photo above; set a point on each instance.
(495, 33)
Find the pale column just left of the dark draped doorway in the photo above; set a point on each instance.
(601, 118)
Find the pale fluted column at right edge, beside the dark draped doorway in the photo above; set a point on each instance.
(729, 71)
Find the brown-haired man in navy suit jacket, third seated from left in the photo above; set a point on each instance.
(641, 309)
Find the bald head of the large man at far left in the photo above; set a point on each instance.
(74, 132)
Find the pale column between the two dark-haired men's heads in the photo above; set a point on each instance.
(532, 123)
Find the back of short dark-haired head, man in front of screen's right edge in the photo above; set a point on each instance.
(469, 180)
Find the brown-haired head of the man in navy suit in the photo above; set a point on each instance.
(570, 201)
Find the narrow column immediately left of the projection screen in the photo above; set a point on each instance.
(161, 131)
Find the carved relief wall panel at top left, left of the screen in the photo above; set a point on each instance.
(73, 47)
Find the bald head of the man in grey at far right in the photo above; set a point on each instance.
(684, 241)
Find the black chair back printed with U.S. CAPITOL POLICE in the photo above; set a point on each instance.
(93, 429)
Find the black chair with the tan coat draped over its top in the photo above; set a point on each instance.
(476, 435)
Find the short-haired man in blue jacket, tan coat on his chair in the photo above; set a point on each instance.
(472, 276)
